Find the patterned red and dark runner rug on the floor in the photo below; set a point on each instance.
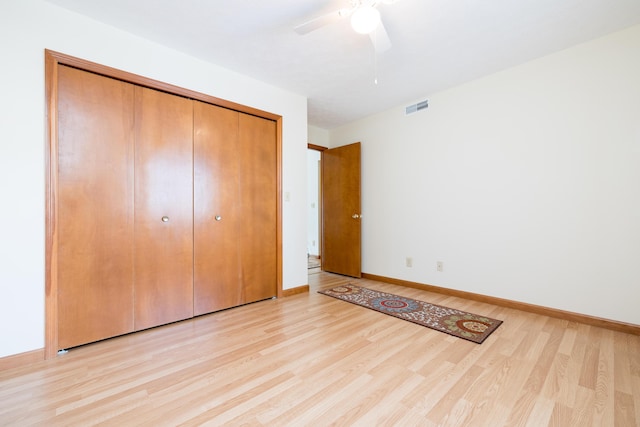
(454, 322)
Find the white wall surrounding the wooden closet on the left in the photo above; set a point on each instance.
(27, 27)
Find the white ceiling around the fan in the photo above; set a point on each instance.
(437, 44)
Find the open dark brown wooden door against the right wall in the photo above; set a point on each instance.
(341, 246)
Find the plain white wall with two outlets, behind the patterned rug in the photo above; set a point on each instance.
(525, 184)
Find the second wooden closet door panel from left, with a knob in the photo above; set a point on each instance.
(163, 189)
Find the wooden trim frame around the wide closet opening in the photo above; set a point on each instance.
(52, 61)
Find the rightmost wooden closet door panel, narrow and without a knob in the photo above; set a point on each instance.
(258, 188)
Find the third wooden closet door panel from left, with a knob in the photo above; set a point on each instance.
(216, 166)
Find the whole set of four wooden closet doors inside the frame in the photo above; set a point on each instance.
(166, 207)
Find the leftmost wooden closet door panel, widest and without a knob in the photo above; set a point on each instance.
(95, 207)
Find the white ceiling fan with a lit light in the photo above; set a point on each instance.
(365, 19)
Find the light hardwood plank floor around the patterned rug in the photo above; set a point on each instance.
(312, 360)
